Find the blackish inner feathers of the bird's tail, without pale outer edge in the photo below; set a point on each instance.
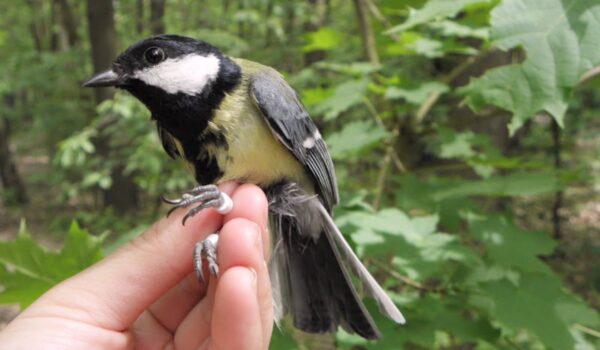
(321, 294)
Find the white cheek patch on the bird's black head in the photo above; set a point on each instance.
(188, 74)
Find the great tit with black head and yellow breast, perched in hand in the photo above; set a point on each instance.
(234, 119)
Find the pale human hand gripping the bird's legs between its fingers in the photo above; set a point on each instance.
(146, 295)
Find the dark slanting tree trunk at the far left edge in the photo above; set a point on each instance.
(9, 175)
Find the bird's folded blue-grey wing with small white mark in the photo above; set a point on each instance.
(291, 125)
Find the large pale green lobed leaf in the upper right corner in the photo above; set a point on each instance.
(560, 39)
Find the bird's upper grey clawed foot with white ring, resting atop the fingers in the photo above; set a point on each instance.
(208, 196)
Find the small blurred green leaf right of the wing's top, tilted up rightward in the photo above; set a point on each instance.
(345, 96)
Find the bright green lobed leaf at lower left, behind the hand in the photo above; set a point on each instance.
(27, 269)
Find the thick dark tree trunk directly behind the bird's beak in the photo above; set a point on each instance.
(122, 195)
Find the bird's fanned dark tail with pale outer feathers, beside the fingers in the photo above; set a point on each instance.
(312, 268)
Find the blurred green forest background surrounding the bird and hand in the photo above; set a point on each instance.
(465, 136)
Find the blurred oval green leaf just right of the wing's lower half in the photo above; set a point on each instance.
(354, 138)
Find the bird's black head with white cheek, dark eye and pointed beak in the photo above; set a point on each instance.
(160, 68)
